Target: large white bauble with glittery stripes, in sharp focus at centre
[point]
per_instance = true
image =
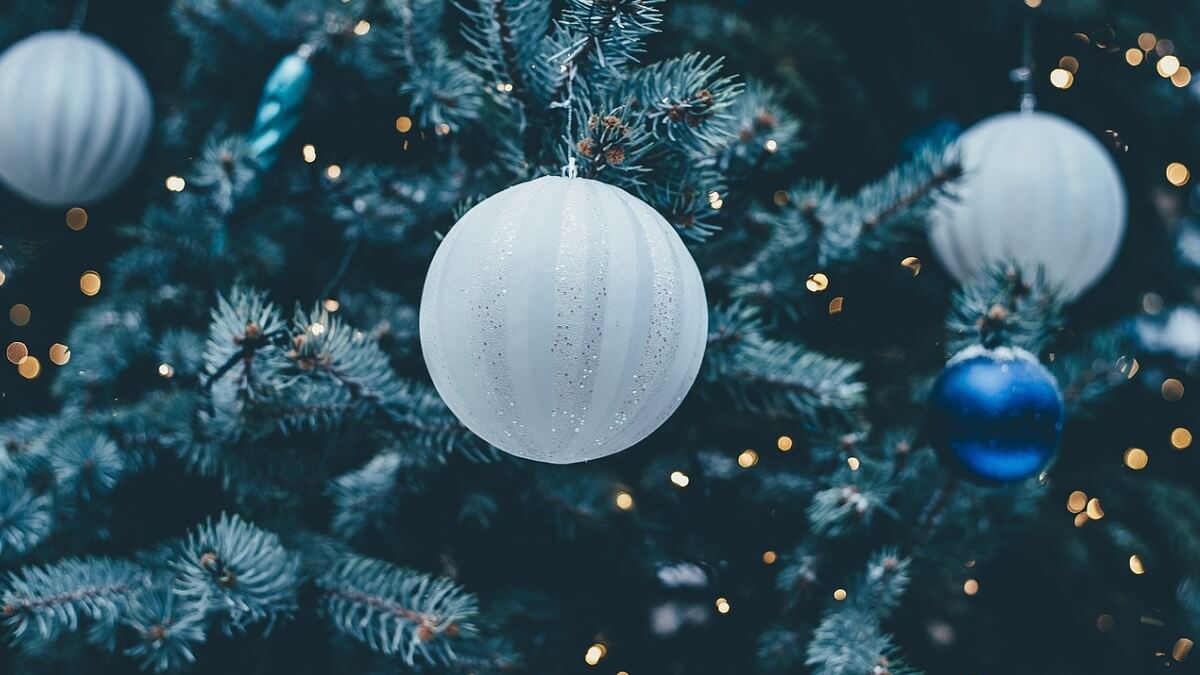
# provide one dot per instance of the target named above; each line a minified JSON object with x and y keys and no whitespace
{"x":563,"y":320}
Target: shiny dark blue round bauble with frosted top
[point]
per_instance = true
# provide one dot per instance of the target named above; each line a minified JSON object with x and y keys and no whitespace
{"x":995,"y":415}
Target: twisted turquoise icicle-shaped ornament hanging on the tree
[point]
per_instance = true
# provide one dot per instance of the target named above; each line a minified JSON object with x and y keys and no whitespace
{"x":279,"y":111}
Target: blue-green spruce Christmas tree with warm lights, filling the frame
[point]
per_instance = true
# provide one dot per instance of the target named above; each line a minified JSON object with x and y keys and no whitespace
{"x":221,"y":450}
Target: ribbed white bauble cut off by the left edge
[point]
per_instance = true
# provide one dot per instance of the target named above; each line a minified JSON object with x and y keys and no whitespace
{"x":75,"y":117}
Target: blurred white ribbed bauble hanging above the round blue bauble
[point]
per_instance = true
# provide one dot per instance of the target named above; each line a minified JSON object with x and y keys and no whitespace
{"x":1037,"y":190}
